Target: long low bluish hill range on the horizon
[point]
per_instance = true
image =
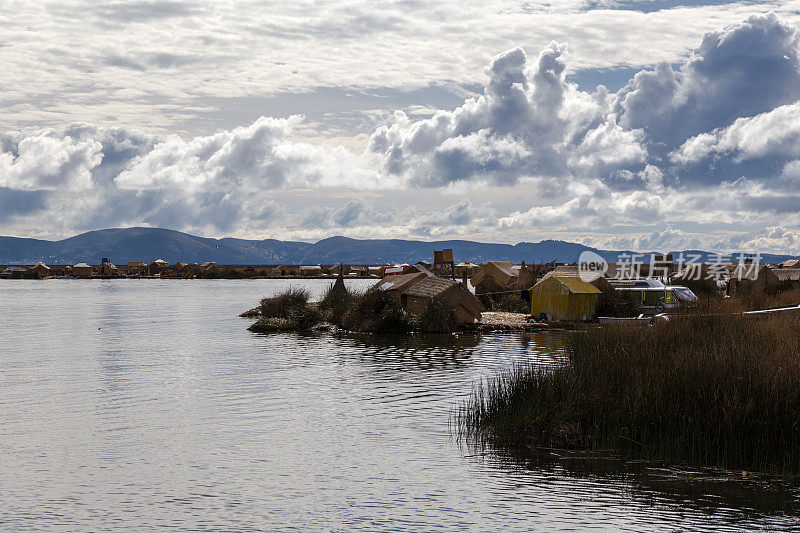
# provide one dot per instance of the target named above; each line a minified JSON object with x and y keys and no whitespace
{"x":147,"y":244}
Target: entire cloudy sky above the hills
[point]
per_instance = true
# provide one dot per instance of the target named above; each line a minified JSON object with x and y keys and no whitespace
{"x":630,"y":124}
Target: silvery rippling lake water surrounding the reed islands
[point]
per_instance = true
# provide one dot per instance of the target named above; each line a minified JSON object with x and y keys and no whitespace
{"x":145,"y":404}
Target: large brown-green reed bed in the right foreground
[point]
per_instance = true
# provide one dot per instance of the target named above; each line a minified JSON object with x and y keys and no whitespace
{"x":718,"y":390}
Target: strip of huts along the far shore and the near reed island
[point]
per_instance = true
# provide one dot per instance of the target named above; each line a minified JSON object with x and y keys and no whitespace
{"x":495,"y":294}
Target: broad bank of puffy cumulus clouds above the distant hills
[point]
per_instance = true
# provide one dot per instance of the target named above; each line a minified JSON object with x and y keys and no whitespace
{"x":705,"y":143}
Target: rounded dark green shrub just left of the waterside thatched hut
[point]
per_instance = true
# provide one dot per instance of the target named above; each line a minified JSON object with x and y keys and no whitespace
{"x":377,"y":312}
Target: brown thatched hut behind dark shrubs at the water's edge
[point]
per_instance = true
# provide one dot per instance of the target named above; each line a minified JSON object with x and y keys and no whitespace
{"x":465,"y":305}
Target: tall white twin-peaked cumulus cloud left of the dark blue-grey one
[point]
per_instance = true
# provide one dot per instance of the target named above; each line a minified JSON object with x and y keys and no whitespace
{"x":528,"y":123}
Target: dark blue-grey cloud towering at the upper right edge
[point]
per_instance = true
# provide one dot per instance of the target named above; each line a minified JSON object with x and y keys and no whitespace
{"x":746,"y":69}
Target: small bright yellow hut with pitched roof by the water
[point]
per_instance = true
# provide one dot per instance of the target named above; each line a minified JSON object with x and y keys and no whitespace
{"x":564,"y":298}
